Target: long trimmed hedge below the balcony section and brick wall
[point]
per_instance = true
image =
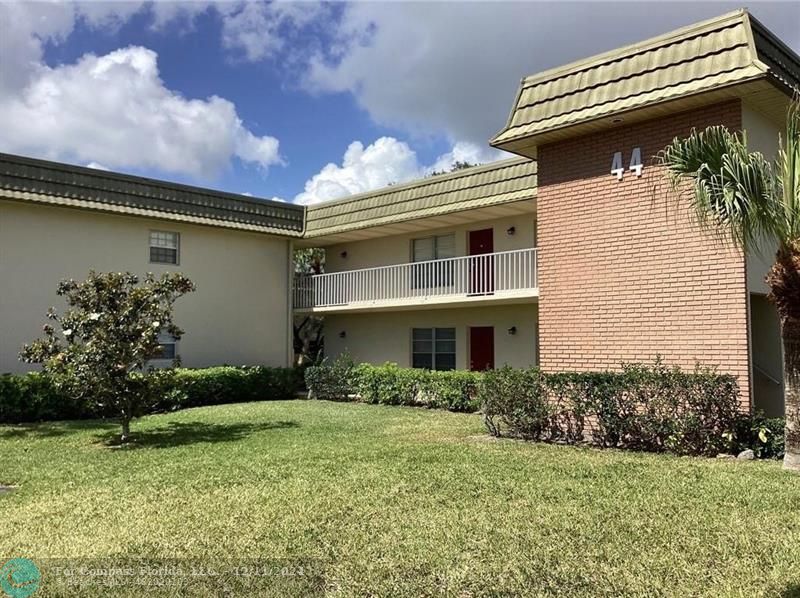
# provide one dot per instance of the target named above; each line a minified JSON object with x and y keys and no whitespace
{"x":652,"y":408}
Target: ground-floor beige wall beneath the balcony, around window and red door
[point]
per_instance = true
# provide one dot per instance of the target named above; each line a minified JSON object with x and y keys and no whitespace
{"x":381,"y":337}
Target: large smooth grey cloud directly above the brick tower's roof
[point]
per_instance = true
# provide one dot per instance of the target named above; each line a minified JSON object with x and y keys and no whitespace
{"x":444,"y":69}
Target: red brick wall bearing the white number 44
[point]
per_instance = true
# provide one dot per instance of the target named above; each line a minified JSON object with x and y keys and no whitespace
{"x":625,"y":274}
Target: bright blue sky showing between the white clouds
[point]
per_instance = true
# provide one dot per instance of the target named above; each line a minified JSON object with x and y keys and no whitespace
{"x":312,"y":130}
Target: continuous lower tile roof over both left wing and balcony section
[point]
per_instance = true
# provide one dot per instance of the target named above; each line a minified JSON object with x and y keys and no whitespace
{"x":44,"y":182}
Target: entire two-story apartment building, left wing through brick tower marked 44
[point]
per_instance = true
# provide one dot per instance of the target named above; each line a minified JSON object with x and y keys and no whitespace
{"x":574,"y":255}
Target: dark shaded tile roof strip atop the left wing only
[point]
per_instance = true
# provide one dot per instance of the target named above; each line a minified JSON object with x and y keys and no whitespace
{"x":40,"y":181}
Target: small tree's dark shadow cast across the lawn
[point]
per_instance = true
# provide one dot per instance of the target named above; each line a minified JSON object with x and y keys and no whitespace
{"x":183,"y":433}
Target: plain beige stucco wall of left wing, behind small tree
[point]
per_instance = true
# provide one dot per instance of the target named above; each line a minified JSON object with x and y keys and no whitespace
{"x":239,"y":314}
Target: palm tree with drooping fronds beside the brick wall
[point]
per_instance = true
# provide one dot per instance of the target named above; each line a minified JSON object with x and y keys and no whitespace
{"x":749,"y":199}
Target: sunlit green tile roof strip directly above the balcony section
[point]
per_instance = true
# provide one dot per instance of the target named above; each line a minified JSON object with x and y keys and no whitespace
{"x":481,"y":186}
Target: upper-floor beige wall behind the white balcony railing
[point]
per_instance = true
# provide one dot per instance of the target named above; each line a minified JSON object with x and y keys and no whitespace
{"x":396,"y":249}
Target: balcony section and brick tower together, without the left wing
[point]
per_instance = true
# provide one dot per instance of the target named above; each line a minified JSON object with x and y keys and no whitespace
{"x":585,"y":260}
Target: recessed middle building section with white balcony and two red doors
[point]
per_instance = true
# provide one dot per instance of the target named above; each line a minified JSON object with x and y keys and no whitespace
{"x":440,"y":273}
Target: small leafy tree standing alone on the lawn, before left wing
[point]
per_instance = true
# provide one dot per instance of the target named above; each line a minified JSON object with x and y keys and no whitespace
{"x":106,"y":339}
